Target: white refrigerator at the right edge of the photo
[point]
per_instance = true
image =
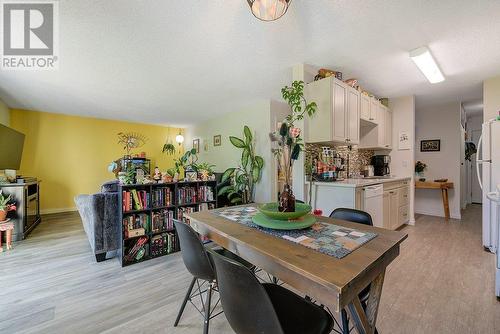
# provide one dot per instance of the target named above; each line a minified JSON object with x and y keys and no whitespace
{"x":489,"y":164}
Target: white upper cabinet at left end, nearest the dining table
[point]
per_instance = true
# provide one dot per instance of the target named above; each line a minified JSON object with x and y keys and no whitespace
{"x":338,"y":114}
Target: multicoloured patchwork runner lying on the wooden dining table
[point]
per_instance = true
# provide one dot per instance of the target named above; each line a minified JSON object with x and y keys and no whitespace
{"x":329,"y":239}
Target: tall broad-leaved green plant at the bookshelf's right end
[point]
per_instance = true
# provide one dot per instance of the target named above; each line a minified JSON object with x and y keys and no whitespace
{"x":247,"y":174}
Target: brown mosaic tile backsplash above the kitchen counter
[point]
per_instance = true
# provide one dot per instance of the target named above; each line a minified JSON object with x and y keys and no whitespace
{"x":357,"y":157}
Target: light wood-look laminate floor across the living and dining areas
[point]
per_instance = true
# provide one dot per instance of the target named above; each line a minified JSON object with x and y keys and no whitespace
{"x":443,"y":282}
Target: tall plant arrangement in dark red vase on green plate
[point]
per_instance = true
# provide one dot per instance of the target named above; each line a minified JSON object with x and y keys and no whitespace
{"x":288,"y":142}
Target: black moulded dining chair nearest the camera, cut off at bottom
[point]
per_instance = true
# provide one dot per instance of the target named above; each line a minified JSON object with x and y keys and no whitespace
{"x":252,"y":307}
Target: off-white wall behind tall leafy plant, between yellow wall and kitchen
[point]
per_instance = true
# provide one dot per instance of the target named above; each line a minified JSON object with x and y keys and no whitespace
{"x":258,"y":118}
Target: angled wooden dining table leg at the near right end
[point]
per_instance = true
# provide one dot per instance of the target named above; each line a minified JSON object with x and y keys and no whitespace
{"x":365,"y":320}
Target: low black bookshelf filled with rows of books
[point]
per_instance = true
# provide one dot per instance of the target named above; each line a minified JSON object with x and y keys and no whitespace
{"x":147,"y":213}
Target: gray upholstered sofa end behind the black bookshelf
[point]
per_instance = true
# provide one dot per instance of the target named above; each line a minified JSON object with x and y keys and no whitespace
{"x":100,"y":218}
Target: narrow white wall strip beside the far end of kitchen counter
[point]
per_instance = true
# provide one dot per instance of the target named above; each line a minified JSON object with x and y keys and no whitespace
{"x":403,"y":161}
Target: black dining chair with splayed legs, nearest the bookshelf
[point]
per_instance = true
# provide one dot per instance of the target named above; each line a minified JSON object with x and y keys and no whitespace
{"x":198,"y":263}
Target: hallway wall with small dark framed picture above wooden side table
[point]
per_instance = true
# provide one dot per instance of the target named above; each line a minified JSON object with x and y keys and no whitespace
{"x":440,"y":122}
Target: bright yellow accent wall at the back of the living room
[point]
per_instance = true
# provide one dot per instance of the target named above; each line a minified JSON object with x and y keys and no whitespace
{"x":70,"y":154}
